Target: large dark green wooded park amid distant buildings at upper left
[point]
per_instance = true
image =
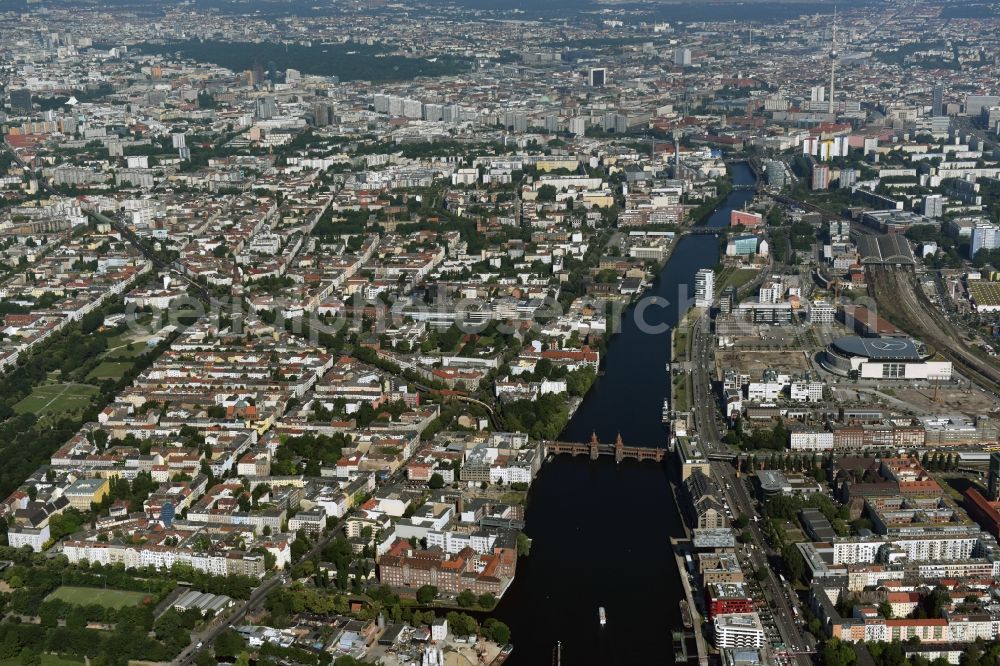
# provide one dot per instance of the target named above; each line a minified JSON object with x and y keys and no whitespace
{"x":349,"y":62}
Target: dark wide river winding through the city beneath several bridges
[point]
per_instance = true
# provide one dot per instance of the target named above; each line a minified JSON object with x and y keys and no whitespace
{"x":600,"y":530}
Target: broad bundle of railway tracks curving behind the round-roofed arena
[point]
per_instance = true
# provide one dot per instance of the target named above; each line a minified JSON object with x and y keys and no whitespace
{"x":900,"y":298}
